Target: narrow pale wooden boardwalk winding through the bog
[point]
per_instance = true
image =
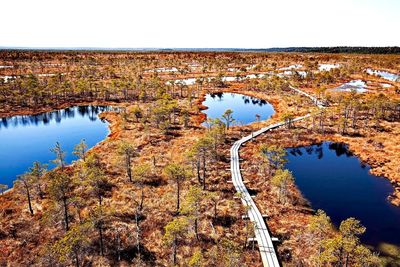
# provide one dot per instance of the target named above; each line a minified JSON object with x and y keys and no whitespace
{"x":263,"y":236}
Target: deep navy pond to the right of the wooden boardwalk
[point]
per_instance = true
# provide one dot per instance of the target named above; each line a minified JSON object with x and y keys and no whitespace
{"x":334,"y":180}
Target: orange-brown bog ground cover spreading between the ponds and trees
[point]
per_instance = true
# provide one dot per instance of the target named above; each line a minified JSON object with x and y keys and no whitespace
{"x":126,"y":82}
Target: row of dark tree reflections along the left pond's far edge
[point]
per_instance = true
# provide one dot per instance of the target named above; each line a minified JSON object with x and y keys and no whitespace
{"x":57,"y":116}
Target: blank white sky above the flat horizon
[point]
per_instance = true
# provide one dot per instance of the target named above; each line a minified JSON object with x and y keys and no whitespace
{"x":199,"y":24}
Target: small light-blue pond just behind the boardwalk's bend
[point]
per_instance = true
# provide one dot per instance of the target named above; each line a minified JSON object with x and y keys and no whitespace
{"x":244,"y":107}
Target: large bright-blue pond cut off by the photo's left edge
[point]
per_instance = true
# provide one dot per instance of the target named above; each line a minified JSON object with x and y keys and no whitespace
{"x":25,"y":139}
